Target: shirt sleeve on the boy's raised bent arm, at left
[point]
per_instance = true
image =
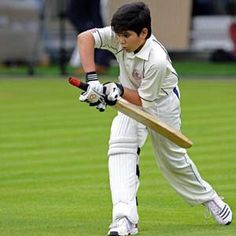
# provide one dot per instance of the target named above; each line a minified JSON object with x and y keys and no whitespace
{"x":105,"y":38}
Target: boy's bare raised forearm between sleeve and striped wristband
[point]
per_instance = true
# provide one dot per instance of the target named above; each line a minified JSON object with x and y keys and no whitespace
{"x":86,"y":43}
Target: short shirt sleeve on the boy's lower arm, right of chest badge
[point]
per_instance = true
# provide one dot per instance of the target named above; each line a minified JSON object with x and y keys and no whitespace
{"x":151,"y":84}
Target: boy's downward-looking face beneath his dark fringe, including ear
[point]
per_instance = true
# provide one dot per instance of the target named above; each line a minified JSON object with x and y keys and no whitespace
{"x":130,"y":41}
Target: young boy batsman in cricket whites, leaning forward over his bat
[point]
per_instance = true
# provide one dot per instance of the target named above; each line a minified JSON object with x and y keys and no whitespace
{"x":147,"y":79}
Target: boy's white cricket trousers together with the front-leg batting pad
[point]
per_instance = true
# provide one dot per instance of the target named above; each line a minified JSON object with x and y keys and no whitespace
{"x":127,"y":135}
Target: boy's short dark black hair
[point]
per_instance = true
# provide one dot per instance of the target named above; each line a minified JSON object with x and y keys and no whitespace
{"x":132,"y":16}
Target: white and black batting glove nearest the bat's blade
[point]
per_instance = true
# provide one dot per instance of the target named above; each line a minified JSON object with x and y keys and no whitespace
{"x":112,"y":92}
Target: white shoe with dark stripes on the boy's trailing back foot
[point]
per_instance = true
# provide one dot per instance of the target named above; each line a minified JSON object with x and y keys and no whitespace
{"x":220,"y":211}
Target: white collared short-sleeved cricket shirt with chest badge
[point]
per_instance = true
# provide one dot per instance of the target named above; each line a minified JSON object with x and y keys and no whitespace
{"x":149,"y":71}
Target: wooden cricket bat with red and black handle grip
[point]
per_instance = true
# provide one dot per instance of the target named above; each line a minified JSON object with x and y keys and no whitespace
{"x":143,"y":117}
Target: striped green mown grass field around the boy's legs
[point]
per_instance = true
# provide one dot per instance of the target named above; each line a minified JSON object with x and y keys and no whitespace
{"x":53,"y":171}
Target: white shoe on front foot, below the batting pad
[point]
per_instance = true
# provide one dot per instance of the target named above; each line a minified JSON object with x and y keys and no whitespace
{"x":122,"y":227}
